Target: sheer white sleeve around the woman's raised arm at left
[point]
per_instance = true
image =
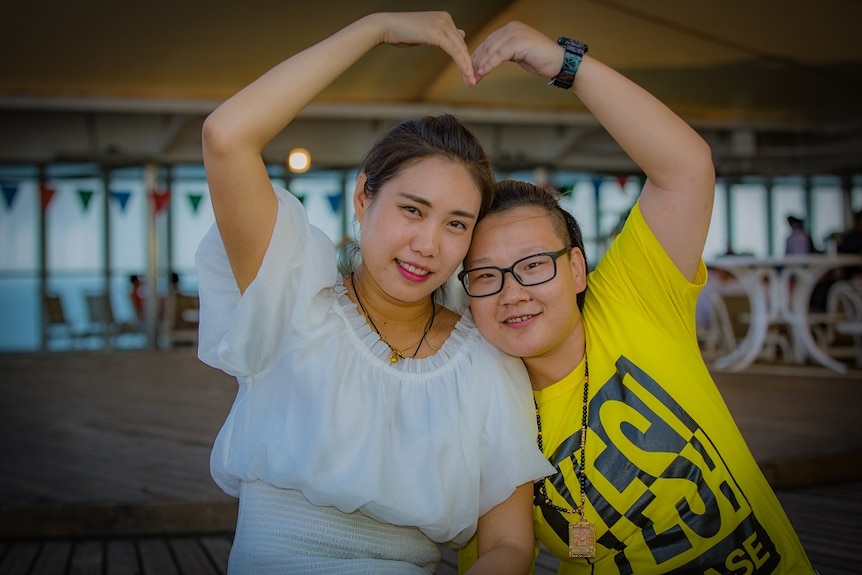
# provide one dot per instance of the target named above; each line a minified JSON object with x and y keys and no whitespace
{"x":241,"y":333}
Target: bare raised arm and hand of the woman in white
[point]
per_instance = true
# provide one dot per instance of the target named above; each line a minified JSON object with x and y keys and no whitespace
{"x":235,"y":134}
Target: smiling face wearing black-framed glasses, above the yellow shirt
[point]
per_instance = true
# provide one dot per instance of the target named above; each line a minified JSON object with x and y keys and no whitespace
{"x":540,"y":322}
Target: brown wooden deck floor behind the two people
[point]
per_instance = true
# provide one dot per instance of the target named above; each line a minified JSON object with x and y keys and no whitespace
{"x":106,"y":461}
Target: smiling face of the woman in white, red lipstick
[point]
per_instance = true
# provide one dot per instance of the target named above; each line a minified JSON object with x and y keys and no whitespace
{"x":417,"y":227}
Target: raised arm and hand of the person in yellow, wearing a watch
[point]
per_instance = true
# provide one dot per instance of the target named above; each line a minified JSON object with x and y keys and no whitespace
{"x":677,"y":197}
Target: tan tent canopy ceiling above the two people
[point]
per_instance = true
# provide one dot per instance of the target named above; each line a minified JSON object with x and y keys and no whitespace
{"x":774,"y":85}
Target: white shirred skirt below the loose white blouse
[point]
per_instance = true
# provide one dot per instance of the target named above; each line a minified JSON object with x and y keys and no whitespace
{"x":278,"y":531}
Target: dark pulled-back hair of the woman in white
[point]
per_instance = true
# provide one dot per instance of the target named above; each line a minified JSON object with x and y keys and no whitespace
{"x":418,"y":139}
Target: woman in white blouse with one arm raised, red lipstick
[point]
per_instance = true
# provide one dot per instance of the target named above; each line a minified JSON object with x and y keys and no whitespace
{"x":370,"y":422}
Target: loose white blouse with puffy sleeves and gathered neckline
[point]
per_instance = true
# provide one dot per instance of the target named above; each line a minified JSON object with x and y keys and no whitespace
{"x":432,"y":443}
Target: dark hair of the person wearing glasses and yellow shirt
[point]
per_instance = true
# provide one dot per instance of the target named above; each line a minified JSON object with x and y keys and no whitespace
{"x":513,"y":194}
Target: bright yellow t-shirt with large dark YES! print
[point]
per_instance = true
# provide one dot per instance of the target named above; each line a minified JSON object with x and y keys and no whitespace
{"x":671,"y":485}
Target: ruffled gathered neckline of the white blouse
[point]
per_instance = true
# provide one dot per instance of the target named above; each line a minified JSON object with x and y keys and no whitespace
{"x":368,"y":341}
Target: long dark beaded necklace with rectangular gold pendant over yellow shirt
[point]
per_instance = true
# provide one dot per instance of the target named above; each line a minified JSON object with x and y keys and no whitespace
{"x":582,"y":535}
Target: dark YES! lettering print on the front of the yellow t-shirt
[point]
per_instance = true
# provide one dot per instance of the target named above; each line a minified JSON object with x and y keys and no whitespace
{"x":661,"y":494}
